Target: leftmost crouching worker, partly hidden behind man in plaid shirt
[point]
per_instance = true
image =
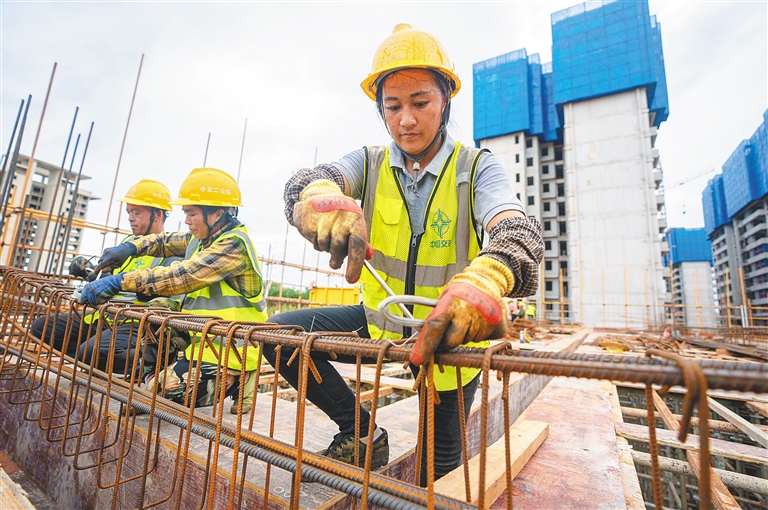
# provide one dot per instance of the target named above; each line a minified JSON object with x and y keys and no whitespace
{"x":147,"y":204}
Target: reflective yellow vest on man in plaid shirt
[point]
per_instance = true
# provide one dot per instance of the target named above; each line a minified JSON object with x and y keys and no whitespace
{"x":222,"y":300}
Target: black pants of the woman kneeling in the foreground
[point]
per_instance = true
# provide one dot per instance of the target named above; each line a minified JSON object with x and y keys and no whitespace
{"x":334,"y":397}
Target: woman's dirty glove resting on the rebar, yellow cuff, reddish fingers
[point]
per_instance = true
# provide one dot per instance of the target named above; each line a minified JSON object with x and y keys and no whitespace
{"x":469,"y":309}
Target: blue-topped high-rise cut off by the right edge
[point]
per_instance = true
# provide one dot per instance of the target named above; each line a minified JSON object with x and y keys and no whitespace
{"x":736,"y":221}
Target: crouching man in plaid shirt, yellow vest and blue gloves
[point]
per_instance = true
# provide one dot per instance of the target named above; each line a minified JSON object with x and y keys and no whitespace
{"x":220,"y":276}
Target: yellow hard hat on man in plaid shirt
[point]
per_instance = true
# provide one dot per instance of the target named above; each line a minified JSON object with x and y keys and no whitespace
{"x":209,"y":186}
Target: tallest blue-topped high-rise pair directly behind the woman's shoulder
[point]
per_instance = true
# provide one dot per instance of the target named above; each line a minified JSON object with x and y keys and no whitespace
{"x":577,"y":135}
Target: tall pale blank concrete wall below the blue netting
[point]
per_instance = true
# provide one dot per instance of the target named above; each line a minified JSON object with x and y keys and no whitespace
{"x":614,"y":250}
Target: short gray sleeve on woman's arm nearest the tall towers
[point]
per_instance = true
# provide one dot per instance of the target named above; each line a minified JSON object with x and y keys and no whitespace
{"x":493,"y":190}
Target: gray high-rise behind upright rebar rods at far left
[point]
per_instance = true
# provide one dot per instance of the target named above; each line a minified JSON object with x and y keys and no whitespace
{"x":43,"y":198}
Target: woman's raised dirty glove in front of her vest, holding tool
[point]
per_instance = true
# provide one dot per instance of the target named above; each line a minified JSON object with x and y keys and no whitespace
{"x":333,"y":223}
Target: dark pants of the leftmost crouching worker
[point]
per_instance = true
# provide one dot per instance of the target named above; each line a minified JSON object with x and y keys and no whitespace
{"x":101,"y":336}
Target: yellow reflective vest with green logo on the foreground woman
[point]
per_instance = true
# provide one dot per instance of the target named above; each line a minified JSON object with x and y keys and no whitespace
{"x":419,"y":265}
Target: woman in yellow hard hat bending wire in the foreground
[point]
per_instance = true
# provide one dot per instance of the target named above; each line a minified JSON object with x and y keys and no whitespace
{"x":427,"y":201}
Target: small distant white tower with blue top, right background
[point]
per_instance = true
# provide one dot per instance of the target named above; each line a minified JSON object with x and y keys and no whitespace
{"x":690,"y":268}
